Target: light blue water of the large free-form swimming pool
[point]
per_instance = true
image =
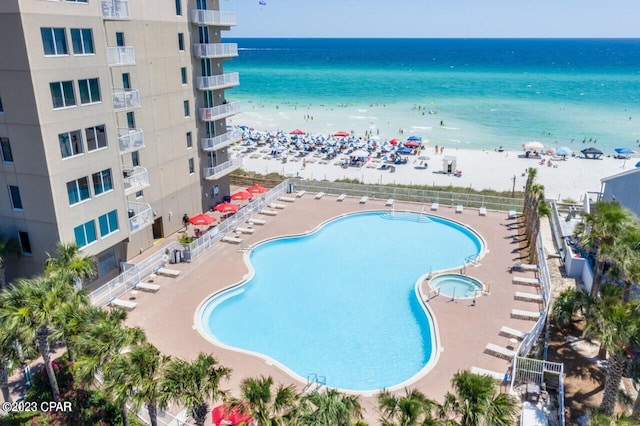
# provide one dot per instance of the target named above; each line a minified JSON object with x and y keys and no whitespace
{"x":340,"y":302}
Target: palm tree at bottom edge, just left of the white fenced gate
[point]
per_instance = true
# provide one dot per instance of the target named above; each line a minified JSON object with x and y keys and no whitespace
{"x":477,"y":401}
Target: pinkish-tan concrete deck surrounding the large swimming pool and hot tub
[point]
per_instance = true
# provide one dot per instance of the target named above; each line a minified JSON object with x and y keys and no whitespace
{"x":464,"y":330}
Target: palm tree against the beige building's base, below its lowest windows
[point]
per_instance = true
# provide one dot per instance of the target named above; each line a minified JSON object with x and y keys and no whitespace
{"x":70,"y":264}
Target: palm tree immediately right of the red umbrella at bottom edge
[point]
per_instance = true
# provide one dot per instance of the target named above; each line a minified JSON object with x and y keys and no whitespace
{"x":266,"y":405}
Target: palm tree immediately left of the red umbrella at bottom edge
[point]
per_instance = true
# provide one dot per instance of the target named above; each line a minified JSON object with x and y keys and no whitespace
{"x":194,"y":384}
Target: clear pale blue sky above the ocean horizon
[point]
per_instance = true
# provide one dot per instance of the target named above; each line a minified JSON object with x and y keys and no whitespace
{"x":429,"y":18}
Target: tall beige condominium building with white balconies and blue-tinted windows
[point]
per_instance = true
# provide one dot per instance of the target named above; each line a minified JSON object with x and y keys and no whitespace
{"x":112,"y":123}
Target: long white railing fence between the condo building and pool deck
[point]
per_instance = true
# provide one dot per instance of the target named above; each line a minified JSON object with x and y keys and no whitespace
{"x":132,"y":274}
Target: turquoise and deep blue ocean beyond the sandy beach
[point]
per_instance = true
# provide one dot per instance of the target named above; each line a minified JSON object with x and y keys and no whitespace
{"x":467,"y":93}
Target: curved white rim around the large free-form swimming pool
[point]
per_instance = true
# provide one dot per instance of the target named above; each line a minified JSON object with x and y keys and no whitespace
{"x":433,"y":324}
